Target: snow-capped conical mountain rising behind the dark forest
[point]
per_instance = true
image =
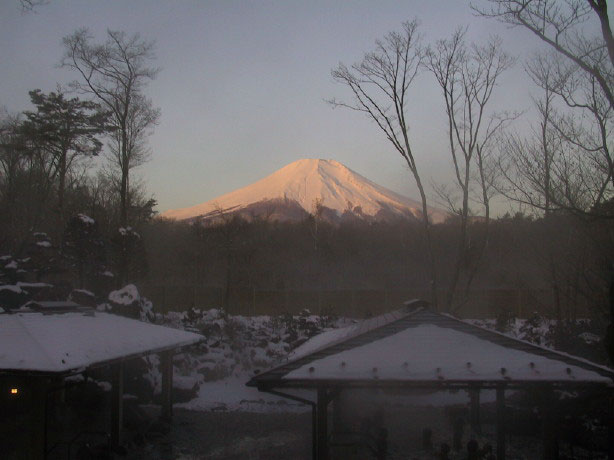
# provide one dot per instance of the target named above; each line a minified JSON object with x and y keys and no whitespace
{"x":298,"y":188}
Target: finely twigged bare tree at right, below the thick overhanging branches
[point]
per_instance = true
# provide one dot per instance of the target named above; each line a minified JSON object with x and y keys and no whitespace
{"x":566,"y":162}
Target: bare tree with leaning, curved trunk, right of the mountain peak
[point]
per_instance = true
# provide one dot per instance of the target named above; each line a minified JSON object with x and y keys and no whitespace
{"x":380,"y":84}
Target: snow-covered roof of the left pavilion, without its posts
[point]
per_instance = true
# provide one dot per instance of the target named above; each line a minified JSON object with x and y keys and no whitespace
{"x":69,"y":342}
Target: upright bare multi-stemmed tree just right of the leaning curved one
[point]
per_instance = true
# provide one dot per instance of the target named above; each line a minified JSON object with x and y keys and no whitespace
{"x":467,"y":76}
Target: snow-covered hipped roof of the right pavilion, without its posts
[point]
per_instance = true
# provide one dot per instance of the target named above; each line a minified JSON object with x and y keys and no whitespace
{"x":421,"y":347}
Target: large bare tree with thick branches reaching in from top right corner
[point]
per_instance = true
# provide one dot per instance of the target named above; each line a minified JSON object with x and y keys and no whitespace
{"x":583,"y":172}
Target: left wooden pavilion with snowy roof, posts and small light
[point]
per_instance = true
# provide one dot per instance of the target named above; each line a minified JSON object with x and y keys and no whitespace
{"x":39,"y":349}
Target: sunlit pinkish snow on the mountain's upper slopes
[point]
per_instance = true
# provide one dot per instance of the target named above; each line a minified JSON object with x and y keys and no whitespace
{"x":308,"y":180}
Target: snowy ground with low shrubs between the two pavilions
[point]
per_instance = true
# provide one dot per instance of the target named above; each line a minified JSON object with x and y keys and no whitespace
{"x":235,"y":348}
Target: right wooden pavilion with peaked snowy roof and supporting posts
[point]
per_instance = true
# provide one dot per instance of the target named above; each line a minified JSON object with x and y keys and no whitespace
{"x":415,"y":349}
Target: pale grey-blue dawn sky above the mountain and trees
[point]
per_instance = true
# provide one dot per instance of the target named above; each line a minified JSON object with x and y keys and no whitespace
{"x":243,"y":84}
